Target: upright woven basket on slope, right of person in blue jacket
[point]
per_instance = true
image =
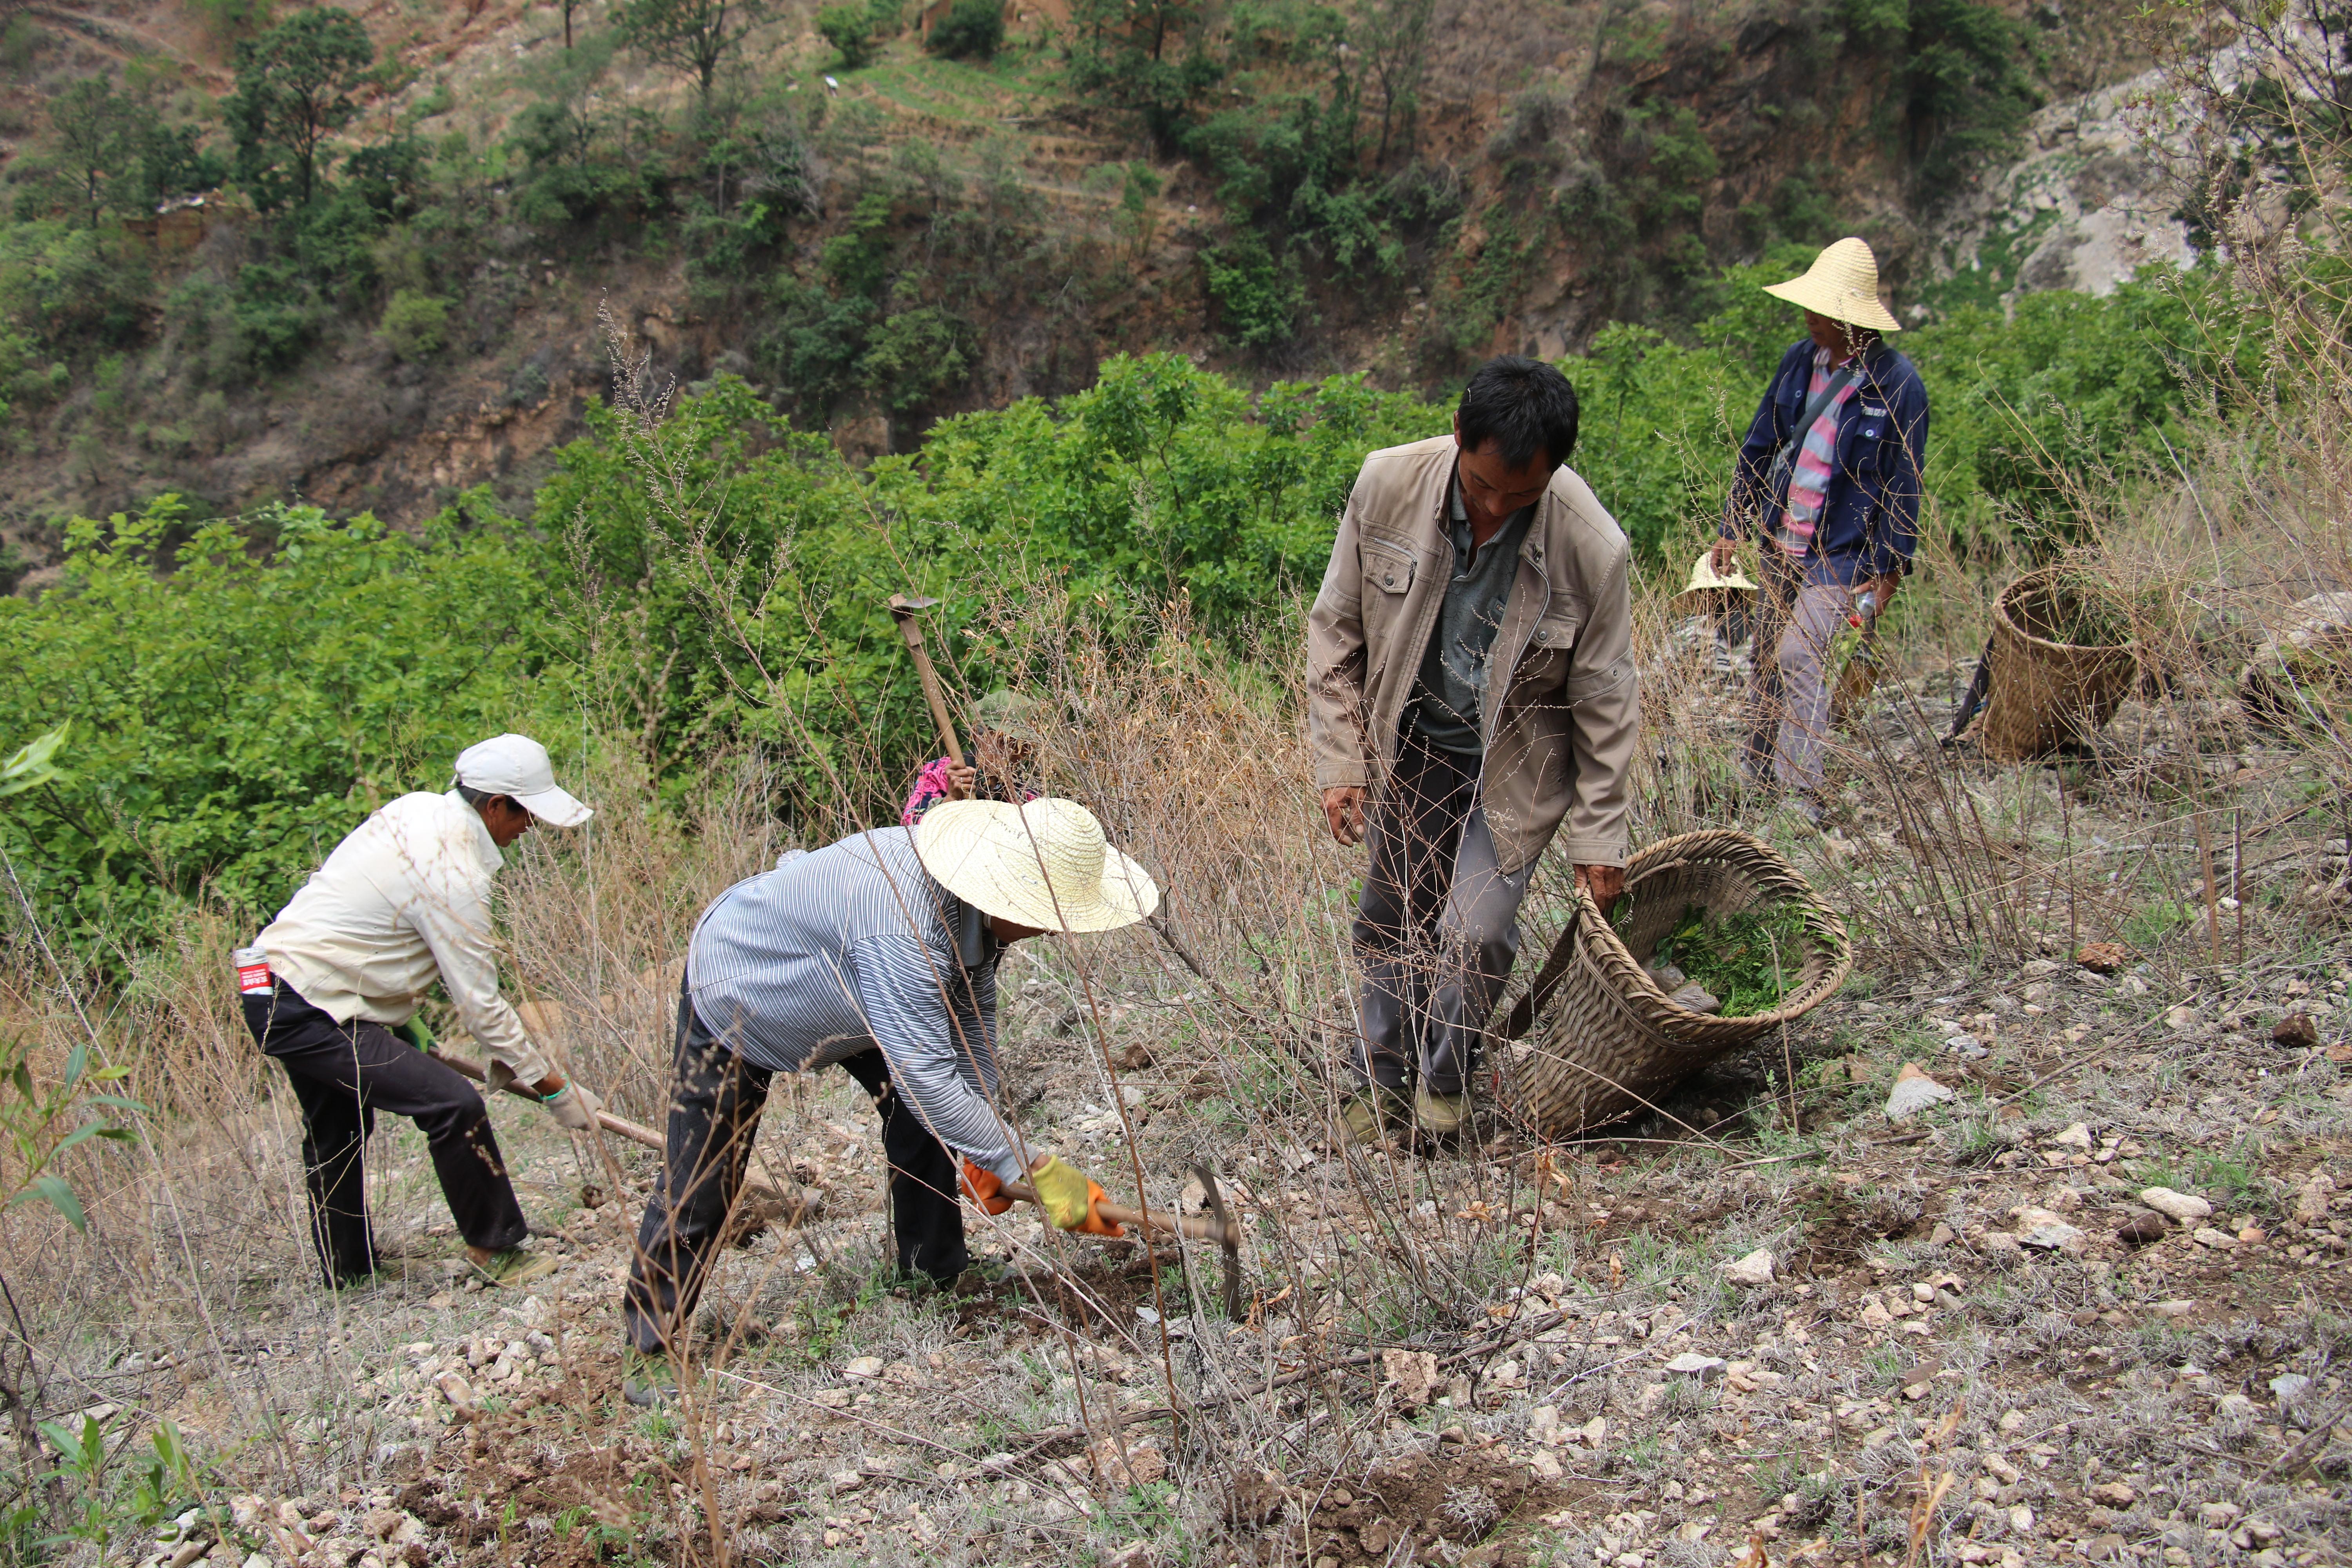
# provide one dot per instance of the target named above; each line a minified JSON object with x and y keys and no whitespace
{"x":2047,"y":695}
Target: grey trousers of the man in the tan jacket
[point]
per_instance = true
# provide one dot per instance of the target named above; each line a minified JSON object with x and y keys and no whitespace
{"x":1438,"y":925}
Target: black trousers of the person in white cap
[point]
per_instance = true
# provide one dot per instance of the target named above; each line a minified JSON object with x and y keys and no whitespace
{"x":342,"y":1076}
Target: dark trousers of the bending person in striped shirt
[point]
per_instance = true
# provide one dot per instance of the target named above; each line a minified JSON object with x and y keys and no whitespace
{"x":716,"y":1101}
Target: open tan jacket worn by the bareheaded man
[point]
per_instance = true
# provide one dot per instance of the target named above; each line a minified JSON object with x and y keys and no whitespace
{"x":1561,"y":742}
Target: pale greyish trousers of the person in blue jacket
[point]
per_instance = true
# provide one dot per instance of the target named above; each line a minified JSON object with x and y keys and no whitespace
{"x":1789,"y":690}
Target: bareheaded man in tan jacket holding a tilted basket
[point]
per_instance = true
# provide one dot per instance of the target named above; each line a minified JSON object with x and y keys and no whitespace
{"x":1469,"y":688}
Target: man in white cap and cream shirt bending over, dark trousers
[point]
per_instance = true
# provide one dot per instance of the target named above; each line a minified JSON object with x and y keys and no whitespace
{"x":335,"y":981}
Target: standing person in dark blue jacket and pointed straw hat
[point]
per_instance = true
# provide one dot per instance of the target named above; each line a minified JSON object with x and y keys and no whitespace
{"x":1829,"y":481}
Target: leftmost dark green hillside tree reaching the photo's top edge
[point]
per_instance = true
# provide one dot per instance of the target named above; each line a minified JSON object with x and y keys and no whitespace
{"x":293,"y":93}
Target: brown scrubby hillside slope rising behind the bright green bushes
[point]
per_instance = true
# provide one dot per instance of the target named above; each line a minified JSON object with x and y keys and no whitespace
{"x":921,"y":236}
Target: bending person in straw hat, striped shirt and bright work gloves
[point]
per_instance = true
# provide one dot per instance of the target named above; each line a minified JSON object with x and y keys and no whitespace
{"x":878,"y":956}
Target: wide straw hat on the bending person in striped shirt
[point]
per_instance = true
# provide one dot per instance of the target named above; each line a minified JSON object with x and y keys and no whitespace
{"x":1043,"y":864}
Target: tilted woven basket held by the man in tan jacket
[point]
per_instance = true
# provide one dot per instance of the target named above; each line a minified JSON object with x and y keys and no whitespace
{"x":1605,"y":1040}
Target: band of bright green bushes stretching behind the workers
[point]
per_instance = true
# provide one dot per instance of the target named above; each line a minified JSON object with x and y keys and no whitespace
{"x":246,"y":690}
